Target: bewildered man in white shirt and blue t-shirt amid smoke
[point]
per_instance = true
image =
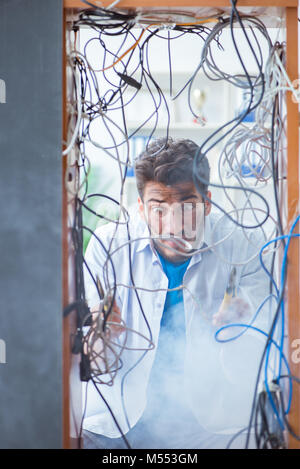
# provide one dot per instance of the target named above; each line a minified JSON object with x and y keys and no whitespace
{"x":178,"y":273}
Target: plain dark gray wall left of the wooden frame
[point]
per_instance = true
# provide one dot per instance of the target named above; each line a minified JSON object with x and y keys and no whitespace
{"x":30,"y":225}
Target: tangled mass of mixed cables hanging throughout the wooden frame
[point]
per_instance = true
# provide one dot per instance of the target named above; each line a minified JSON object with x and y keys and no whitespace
{"x":103,"y":95}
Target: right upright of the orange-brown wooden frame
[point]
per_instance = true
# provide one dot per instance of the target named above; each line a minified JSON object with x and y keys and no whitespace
{"x":293,"y":293}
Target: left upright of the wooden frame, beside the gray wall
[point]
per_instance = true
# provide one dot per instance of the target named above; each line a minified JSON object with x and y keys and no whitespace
{"x":72,"y":409}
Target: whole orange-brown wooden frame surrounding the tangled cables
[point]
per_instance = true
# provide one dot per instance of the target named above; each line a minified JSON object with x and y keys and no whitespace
{"x":70,"y":363}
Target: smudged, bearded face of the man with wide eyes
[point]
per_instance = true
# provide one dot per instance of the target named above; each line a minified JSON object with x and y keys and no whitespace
{"x":175,"y":216}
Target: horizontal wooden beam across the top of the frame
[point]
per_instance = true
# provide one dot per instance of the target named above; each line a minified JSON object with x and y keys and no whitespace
{"x":185,"y":3}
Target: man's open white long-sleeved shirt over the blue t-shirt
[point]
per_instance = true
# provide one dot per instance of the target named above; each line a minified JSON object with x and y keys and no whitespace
{"x":219,"y":378}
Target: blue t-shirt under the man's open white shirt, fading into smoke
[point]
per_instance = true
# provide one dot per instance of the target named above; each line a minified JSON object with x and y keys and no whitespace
{"x":167,"y":402}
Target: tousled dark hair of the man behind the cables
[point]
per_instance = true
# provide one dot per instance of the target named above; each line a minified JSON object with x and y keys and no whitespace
{"x":170,"y":162}
